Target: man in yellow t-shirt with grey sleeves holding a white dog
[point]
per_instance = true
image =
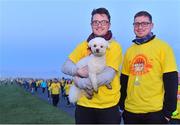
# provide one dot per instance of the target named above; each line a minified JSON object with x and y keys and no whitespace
{"x":103,"y":107}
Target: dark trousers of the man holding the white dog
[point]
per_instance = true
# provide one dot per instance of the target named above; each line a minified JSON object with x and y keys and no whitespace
{"x":85,"y":115}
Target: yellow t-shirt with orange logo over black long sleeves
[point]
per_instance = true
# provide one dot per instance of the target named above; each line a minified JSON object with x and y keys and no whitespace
{"x":145,"y":65}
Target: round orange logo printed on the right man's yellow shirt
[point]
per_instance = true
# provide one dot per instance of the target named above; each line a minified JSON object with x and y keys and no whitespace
{"x":140,"y":65}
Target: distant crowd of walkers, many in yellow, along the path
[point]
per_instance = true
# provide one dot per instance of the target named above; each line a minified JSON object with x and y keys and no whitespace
{"x":52,"y":88}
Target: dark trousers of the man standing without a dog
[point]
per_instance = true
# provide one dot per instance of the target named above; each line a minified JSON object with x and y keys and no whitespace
{"x":144,"y":118}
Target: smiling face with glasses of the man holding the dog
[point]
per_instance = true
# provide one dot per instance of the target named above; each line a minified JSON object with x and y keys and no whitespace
{"x":100,"y":24}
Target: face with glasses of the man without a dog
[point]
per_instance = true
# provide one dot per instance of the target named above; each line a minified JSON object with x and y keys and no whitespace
{"x":142,"y":26}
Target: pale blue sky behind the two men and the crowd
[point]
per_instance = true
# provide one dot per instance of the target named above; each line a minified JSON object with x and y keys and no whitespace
{"x":36,"y":36}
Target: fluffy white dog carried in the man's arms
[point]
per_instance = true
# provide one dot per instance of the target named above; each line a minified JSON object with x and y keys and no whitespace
{"x":96,"y":63}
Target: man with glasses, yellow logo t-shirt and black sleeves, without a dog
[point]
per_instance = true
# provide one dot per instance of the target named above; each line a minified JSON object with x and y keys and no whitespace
{"x":149,"y":77}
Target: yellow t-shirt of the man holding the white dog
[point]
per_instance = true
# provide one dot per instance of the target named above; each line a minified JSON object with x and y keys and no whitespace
{"x":105,"y":97}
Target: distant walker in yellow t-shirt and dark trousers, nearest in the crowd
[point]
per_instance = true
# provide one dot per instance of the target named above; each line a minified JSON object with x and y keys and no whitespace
{"x":55,"y":90}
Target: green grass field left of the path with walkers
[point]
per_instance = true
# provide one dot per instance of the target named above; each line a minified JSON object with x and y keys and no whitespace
{"x":19,"y":107}
